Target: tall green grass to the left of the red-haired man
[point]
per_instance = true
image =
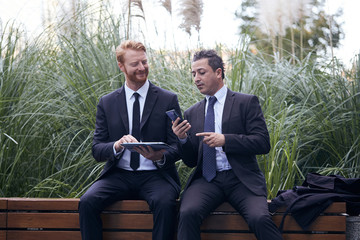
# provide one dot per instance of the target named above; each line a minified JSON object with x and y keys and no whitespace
{"x":50,"y":89}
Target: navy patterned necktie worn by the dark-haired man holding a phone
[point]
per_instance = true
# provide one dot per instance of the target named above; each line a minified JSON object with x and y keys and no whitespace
{"x":209,"y":153}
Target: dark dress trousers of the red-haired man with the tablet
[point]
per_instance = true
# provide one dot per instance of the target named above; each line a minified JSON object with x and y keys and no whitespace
{"x":119,"y":185}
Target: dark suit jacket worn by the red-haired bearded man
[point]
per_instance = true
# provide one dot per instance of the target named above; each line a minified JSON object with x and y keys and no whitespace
{"x":112,"y":123}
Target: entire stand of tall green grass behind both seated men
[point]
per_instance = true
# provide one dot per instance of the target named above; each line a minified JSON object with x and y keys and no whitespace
{"x":50,"y":87}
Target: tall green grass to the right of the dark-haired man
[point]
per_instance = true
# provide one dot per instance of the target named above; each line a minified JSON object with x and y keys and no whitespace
{"x":312,"y":116}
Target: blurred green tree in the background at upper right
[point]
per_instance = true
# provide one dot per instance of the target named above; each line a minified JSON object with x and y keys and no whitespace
{"x":313,"y":33}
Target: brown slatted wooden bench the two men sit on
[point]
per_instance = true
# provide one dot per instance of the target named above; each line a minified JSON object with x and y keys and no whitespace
{"x":58,"y":219}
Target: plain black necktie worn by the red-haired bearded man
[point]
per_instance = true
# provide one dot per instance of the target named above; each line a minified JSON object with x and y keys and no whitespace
{"x":135,"y":157}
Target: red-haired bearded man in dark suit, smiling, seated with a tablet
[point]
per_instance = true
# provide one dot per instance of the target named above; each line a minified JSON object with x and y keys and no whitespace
{"x":146,"y":174}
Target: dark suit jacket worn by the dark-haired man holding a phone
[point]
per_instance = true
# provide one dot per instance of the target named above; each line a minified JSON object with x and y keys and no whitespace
{"x":246,"y":135}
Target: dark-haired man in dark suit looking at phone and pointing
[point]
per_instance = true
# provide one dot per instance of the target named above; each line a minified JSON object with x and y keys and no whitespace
{"x":221,"y":136}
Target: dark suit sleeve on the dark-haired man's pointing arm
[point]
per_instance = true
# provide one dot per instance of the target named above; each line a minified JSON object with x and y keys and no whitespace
{"x":255,"y":140}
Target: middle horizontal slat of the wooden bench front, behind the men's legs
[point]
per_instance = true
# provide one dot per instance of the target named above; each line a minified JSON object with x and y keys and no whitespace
{"x":145,"y":221}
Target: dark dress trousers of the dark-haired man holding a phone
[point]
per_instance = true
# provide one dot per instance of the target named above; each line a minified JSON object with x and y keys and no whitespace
{"x":202,"y":197}
